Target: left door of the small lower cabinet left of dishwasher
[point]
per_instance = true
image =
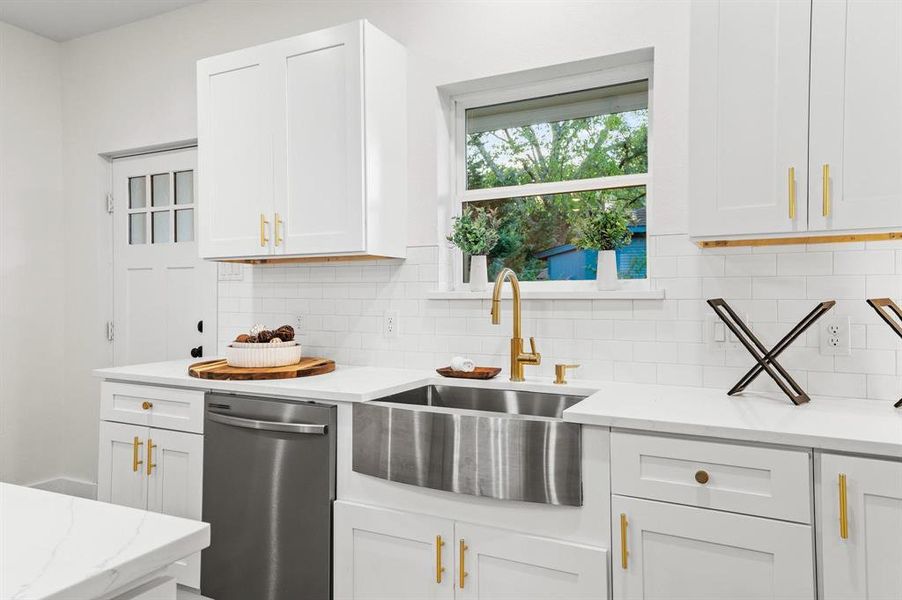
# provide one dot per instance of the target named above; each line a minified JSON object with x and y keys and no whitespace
{"x":121,"y":475}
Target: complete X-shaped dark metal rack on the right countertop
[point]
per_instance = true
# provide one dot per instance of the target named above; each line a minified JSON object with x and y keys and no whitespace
{"x":766,"y":360}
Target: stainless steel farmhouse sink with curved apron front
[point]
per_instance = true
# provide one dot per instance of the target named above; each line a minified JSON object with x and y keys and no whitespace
{"x":506,"y":444}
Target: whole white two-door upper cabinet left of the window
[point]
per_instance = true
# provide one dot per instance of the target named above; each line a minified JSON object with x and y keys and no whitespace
{"x":322,"y":171}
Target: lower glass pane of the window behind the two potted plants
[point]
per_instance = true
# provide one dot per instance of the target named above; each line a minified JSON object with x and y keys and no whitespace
{"x":536,"y":235}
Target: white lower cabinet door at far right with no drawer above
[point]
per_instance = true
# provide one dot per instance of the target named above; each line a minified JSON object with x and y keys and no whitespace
{"x":861,"y":528}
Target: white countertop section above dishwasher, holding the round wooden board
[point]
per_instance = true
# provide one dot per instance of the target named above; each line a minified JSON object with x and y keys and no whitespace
{"x":349,"y":384}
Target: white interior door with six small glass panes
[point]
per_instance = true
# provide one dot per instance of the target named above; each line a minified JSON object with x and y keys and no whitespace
{"x":163,"y":293}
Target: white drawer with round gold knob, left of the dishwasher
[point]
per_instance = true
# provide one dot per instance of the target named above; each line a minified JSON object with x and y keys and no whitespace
{"x":167,"y":408}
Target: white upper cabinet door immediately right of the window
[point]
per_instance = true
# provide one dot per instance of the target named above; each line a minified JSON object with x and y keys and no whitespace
{"x":749,"y":117}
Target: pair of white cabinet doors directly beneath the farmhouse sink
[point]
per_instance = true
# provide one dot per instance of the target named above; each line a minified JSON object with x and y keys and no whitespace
{"x":387,"y":554}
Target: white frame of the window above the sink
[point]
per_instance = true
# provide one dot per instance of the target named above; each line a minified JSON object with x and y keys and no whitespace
{"x":546,"y":86}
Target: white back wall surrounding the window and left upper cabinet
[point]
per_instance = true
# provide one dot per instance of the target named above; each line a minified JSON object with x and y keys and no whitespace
{"x":134,"y":86}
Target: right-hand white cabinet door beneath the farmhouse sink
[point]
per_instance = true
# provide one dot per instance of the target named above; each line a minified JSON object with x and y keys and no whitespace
{"x":494,"y":563}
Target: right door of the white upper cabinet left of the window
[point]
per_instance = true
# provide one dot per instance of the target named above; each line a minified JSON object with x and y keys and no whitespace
{"x":319,"y":142}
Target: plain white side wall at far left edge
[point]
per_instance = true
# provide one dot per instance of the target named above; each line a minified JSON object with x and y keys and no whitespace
{"x":31,"y":259}
